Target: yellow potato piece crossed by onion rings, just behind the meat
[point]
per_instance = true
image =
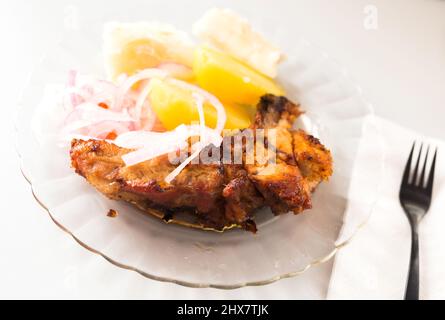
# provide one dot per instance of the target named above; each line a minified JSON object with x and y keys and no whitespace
{"x":175,"y":106}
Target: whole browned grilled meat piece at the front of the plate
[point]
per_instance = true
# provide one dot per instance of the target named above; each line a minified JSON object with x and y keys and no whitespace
{"x":218,"y":195}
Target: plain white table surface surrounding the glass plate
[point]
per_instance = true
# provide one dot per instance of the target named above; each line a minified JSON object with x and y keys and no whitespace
{"x":400,"y":66}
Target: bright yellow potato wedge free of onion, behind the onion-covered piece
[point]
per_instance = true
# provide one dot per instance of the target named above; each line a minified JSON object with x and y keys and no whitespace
{"x":229,"y":79}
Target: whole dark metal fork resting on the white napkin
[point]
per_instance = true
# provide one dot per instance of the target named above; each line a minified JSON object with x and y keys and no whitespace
{"x":415,"y":196}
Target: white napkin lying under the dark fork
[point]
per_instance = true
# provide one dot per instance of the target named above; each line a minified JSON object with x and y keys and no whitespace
{"x":374,"y":265}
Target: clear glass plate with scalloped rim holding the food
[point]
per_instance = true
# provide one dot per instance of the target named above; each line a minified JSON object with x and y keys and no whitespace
{"x":285,"y":246}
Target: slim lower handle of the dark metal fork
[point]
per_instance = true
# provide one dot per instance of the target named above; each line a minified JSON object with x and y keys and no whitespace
{"x":412,"y":288}
